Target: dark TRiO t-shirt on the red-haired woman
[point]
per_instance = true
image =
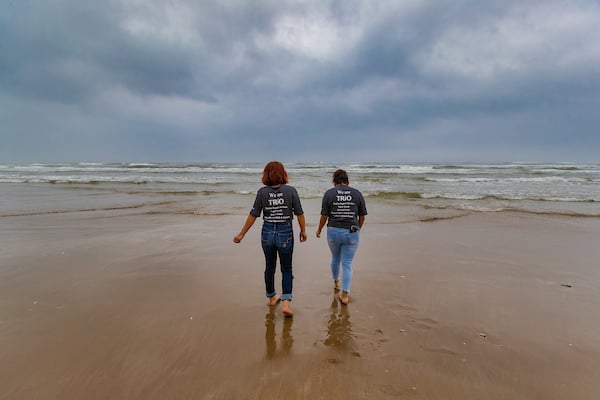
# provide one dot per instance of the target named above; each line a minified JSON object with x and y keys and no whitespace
{"x":277,"y":205}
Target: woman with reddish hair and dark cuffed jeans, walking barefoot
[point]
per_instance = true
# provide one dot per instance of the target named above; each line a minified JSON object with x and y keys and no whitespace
{"x":278,"y":203}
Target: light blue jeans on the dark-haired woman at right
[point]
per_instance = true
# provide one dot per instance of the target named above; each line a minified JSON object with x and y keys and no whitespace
{"x":343,"y":245}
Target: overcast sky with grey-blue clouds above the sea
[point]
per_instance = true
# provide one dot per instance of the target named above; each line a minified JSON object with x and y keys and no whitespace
{"x":345,"y":80}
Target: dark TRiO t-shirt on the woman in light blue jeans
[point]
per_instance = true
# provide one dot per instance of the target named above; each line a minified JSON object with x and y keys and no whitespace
{"x":343,"y":205}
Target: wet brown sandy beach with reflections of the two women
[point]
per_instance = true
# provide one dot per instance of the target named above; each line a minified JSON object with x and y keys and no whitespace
{"x":483,"y":306}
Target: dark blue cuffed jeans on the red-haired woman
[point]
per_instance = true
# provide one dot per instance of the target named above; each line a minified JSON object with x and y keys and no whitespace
{"x":278,"y":240}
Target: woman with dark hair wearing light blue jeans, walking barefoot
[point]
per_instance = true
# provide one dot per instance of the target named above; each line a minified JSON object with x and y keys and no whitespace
{"x":343,"y":209}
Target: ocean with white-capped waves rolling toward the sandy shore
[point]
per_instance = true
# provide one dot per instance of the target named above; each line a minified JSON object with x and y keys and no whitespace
{"x":229,"y":188}
